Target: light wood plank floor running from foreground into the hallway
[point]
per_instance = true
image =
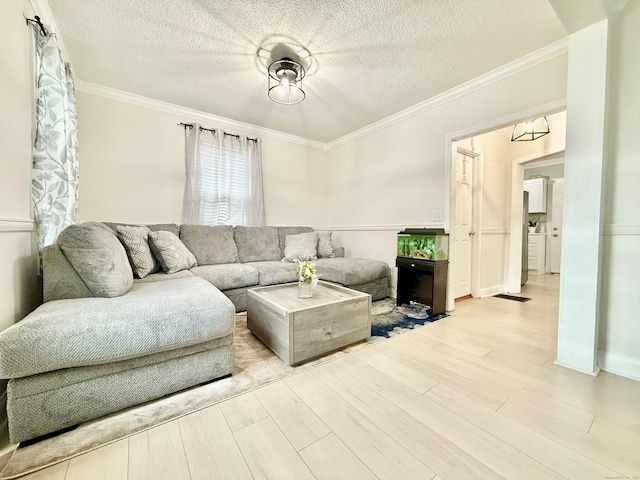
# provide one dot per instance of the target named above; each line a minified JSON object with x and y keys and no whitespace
{"x":473,"y":396}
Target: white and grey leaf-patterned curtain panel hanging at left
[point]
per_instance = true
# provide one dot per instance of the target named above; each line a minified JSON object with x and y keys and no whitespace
{"x":54,"y":177}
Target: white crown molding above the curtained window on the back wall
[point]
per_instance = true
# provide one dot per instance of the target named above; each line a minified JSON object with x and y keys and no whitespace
{"x":190,"y":114}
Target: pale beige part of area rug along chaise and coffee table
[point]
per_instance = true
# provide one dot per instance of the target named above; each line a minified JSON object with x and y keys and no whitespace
{"x":256,"y":365}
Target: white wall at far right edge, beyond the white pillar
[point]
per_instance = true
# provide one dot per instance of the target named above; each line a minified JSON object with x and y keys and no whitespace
{"x":619,"y":338}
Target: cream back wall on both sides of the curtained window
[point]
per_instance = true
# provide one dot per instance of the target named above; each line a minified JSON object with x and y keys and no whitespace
{"x":132,"y":167}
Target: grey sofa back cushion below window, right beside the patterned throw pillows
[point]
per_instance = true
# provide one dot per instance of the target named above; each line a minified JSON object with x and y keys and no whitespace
{"x":211,"y":245}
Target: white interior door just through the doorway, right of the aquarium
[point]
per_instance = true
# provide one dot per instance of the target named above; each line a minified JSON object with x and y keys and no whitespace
{"x":463,"y":225}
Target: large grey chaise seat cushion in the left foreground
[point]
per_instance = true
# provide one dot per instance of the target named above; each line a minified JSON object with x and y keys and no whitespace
{"x":152,"y":317}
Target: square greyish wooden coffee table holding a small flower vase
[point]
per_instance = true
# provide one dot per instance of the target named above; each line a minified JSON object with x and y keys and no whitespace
{"x":300,"y":329}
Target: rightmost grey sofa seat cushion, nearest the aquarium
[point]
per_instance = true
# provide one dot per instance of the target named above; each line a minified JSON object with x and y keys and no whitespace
{"x":351,"y":271}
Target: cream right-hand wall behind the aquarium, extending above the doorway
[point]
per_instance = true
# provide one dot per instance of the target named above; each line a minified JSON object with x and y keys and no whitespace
{"x":395,"y":177}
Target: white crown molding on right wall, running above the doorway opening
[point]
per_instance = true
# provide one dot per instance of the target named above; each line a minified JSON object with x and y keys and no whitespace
{"x":546,"y":53}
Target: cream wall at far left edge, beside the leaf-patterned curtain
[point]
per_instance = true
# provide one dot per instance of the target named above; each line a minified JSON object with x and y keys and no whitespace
{"x":19,"y":284}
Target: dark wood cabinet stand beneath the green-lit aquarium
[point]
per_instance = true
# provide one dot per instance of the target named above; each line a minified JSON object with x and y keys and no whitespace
{"x":423,"y":281}
